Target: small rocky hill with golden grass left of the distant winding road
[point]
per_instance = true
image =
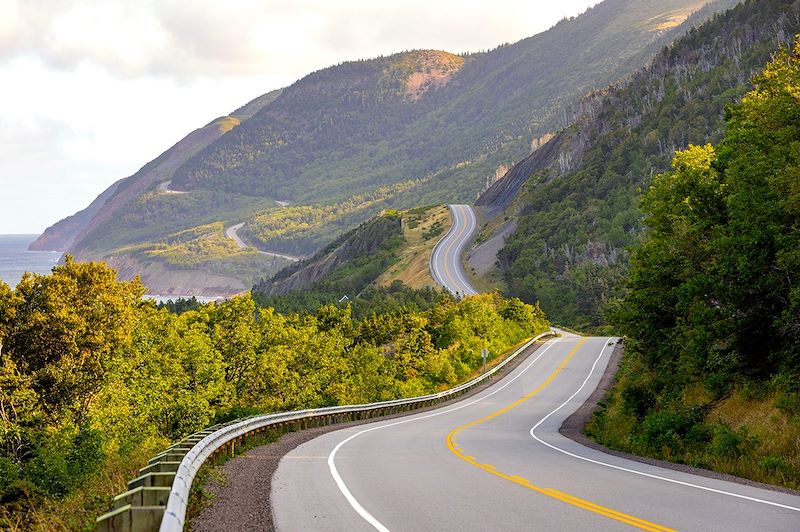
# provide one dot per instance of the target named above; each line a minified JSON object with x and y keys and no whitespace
{"x":378,"y":265}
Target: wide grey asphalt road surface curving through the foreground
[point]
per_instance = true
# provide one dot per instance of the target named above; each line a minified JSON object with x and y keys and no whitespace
{"x":496,"y":461}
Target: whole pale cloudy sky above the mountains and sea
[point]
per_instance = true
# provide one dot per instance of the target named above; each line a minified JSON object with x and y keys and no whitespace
{"x":93,"y":90}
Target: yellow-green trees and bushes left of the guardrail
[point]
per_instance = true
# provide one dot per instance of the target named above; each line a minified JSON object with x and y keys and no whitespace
{"x":93,"y":380}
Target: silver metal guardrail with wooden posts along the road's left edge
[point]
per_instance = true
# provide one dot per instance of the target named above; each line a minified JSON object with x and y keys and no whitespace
{"x":157,"y":499}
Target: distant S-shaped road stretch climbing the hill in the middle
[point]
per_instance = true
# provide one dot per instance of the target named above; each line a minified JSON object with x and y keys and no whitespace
{"x":445,"y":261}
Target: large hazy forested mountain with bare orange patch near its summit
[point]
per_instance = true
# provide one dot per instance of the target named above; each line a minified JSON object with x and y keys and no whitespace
{"x":418,"y":127}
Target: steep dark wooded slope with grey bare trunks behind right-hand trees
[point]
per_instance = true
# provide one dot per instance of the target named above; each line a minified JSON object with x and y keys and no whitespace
{"x":578,"y":212}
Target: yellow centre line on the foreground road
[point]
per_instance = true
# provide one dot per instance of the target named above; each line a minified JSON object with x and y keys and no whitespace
{"x":555,"y":494}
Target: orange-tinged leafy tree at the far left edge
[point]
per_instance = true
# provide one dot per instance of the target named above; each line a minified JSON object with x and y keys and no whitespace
{"x":64,"y":330}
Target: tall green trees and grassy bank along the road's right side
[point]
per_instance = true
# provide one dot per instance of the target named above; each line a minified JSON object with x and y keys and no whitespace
{"x":711,"y":375}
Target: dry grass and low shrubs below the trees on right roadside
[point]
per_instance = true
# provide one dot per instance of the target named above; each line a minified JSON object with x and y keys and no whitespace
{"x":744,"y":434}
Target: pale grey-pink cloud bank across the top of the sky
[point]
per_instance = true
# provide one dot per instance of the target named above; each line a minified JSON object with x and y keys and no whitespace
{"x":244,"y":37}
